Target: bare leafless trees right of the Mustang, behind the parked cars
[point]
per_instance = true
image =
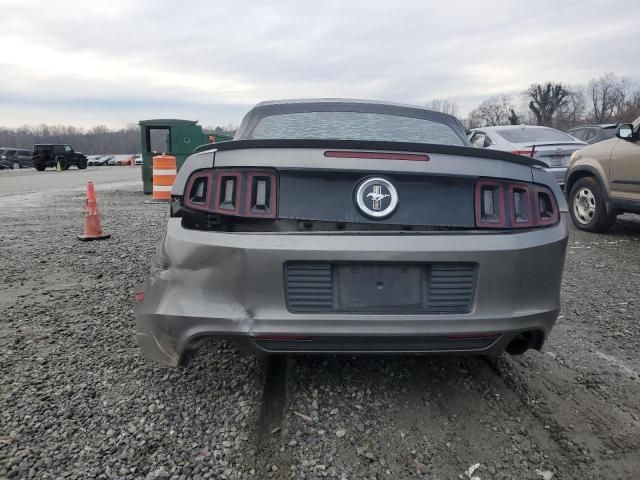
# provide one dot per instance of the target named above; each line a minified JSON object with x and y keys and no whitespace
{"x":608,"y":99}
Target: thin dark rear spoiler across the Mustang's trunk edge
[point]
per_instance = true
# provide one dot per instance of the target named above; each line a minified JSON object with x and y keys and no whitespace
{"x":374,"y":145}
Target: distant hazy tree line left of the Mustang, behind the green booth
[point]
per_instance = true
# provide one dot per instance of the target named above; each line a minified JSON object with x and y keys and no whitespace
{"x":95,"y":140}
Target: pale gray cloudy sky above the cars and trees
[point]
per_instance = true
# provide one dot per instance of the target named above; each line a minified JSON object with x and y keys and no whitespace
{"x":118,"y":61}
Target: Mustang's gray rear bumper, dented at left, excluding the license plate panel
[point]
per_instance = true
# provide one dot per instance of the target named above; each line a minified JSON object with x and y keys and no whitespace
{"x":231,"y":285}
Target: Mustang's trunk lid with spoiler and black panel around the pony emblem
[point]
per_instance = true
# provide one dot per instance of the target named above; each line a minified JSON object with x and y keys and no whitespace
{"x":318,"y":181}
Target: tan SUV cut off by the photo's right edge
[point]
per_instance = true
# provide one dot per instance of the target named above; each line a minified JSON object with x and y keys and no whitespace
{"x":603,"y":180}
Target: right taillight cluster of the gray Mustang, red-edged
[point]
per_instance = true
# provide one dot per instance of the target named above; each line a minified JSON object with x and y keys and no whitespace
{"x":505,"y":204}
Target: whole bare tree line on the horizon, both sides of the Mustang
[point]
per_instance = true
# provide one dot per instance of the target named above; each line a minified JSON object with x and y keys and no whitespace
{"x":608,"y":99}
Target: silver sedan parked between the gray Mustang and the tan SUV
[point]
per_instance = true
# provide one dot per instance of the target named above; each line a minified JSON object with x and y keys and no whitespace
{"x":548,"y":145}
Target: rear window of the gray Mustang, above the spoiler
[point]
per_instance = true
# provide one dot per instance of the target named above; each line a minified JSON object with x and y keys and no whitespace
{"x":354,"y":126}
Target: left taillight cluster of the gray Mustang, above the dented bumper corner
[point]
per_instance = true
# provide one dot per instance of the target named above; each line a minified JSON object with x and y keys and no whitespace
{"x":239,"y":192}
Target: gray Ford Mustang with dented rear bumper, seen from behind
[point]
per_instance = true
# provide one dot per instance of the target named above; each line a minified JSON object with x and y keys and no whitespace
{"x":345,"y":226}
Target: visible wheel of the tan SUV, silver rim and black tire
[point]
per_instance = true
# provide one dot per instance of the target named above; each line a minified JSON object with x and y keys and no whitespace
{"x":588,"y":208}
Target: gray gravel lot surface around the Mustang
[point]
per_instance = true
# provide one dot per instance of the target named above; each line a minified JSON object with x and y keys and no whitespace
{"x":77,"y":400}
